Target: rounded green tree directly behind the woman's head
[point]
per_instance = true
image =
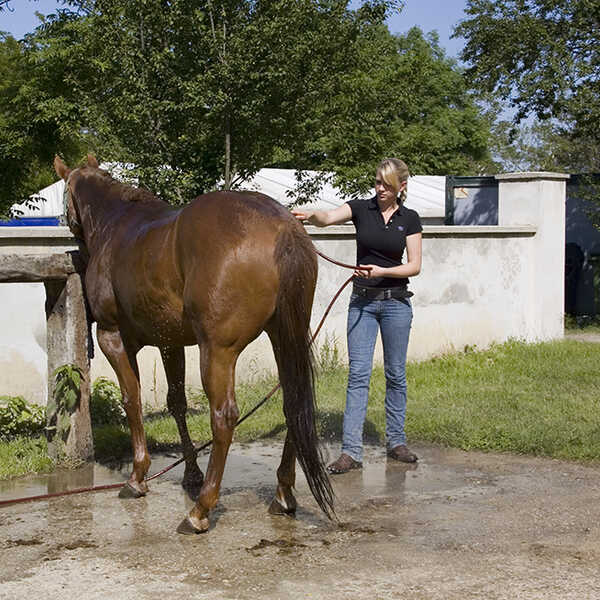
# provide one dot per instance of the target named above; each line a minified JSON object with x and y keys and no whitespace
{"x":401,"y":97}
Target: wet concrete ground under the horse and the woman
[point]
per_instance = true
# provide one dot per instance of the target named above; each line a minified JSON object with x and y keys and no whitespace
{"x":457,"y":526}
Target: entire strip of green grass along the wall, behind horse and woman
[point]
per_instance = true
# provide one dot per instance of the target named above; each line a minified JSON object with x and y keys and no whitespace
{"x":539,"y":399}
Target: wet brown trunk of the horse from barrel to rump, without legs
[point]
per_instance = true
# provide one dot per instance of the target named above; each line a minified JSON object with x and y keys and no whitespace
{"x":208,"y":269}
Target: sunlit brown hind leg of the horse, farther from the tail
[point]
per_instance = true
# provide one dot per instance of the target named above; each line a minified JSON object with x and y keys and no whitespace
{"x":218,"y":368}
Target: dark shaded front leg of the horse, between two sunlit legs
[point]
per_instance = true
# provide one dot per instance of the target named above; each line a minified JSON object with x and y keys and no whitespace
{"x":174,"y":362}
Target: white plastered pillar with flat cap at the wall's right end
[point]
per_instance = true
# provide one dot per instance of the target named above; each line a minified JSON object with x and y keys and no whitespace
{"x":538,"y":199}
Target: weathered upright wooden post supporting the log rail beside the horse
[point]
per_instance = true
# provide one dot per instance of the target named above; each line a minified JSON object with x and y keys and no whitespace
{"x":67,"y":339}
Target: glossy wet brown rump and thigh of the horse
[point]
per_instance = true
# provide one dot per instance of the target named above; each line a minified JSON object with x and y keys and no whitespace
{"x":228,"y":247}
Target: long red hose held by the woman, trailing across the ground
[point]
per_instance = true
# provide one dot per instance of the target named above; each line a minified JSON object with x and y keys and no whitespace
{"x":197,"y":449}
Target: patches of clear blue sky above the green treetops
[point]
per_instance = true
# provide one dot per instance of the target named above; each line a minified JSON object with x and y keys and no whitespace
{"x":429,"y":15}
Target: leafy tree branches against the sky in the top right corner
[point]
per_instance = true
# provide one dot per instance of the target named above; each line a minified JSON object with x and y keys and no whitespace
{"x":543,"y":57}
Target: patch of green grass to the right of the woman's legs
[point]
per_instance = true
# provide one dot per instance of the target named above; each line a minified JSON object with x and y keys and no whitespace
{"x":539,"y":399}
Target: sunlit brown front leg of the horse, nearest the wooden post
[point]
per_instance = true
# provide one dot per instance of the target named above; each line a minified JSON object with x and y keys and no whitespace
{"x":123,"y":361}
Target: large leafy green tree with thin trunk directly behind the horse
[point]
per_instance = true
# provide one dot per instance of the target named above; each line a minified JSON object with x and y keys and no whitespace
{"x":198,"y":91}
